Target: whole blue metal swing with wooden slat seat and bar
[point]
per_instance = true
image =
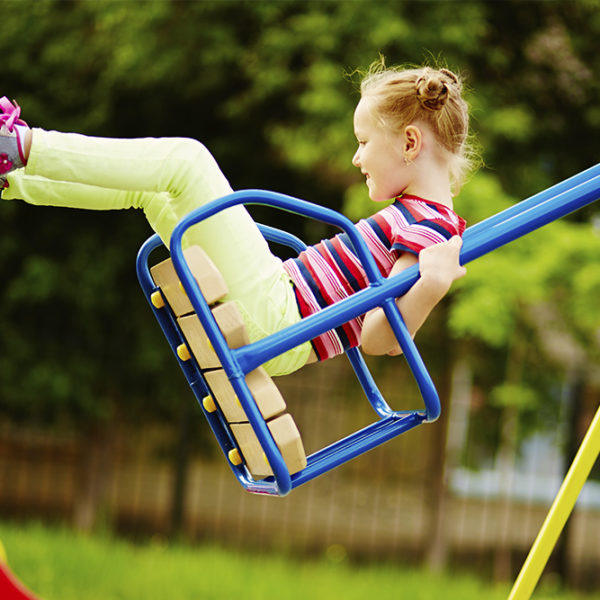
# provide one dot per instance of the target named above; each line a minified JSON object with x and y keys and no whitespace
{"x":241,"y":403}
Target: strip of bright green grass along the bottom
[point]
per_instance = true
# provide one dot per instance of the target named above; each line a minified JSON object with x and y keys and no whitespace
{"x":59,"y":564}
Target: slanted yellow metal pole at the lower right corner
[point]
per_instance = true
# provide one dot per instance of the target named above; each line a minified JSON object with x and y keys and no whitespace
{"x":559,"y":513}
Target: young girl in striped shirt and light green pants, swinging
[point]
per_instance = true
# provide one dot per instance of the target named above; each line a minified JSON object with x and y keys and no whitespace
{"x":411,"y":126}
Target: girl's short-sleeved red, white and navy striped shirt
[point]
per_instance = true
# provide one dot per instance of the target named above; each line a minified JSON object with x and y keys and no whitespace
{"x":330,"y":271}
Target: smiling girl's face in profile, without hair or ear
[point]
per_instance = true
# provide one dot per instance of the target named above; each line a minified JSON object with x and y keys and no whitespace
{"x":379,"y":156}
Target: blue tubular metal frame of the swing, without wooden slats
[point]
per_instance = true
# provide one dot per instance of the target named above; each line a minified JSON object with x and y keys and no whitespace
{"x":492,"y":233}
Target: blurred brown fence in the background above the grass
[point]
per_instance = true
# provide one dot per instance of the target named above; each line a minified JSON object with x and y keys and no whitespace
{"x":378,"y":507}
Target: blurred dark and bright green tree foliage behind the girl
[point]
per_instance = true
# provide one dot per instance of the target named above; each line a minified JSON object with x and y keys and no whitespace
{"x":270,"y":87}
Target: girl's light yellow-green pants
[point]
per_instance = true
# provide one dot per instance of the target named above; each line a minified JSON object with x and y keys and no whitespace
{"x":167,"y":178}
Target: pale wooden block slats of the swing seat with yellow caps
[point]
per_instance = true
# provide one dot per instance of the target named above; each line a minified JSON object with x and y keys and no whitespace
{"x":221,"y":395}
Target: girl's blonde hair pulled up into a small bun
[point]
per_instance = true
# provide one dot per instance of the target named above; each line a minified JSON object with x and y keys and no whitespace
{"x":433,"y":96}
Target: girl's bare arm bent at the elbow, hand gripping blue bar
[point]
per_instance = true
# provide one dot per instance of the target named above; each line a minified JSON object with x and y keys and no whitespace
{"x":438,"y":268}
